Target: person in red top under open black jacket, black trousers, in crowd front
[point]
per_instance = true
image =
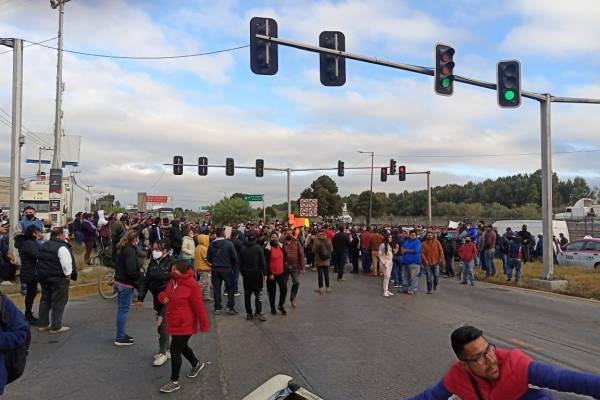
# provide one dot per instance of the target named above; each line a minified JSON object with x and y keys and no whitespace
{"x":277,"y":273}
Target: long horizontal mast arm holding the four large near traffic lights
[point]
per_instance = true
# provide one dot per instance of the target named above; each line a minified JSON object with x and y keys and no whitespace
{"x":418,"y":69}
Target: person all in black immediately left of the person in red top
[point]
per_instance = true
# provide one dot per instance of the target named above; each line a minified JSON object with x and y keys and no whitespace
{"x":254,"y":270}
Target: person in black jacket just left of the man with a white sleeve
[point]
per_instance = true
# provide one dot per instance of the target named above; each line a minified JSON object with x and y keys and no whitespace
{"x":28,"y":252}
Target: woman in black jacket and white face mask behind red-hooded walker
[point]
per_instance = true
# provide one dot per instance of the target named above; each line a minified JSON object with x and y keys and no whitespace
{"x":155,"y":281}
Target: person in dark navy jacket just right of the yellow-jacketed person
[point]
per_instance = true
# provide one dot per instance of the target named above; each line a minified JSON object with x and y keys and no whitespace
{"x":223,"y":258}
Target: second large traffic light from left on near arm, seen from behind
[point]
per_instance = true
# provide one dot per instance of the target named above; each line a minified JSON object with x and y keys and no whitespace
{"x":333,"y":68}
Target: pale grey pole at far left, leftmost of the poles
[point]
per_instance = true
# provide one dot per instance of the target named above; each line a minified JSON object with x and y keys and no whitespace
{"x":15,"y":156}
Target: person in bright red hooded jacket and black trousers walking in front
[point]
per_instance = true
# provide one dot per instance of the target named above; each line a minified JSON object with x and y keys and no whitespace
{"x":185,"y":316}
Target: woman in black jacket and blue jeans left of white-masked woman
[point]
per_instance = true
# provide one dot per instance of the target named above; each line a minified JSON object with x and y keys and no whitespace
{"x":127,"y":277}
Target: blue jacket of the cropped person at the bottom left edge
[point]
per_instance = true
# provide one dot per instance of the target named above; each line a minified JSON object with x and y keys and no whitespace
{"x":12,"y":336}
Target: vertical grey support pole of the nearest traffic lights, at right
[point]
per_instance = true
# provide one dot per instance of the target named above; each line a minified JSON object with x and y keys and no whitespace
{"x":546,"y":143}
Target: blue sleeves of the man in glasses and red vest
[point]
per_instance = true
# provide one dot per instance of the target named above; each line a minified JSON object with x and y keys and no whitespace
{"x":540,"y":375}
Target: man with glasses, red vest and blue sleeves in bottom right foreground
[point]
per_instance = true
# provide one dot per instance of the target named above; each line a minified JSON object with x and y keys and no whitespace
{"x":485,"y":372}
